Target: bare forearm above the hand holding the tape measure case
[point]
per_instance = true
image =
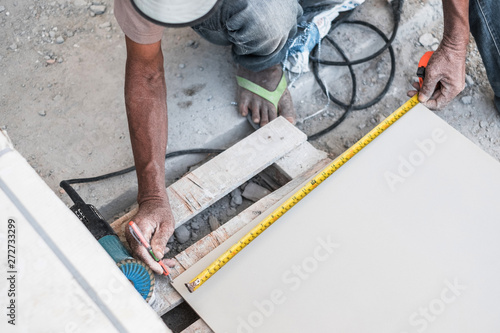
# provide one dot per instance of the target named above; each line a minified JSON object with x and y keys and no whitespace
{"x":456,"y":24}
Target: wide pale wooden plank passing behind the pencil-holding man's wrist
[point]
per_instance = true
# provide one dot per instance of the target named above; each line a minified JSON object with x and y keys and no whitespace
{"x":202,"y":187}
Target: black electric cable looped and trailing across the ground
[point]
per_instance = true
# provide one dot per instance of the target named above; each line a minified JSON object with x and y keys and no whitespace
{"x":342,"y":19}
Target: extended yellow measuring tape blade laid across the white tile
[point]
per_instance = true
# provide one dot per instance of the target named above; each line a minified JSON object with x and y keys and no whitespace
{"x":299,"y":195}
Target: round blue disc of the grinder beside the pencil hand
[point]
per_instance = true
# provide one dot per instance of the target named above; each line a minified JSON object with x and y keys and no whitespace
{"x":140,"y":275}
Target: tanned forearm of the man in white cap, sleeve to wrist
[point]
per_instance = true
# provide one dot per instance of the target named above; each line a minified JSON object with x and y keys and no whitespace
{"x":145,"y":98}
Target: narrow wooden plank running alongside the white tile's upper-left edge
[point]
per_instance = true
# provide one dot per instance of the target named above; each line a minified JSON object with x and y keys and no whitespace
{"x":166,"y":297}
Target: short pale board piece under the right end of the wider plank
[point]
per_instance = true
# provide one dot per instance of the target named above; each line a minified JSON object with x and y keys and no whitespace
{"x":300,"y":160}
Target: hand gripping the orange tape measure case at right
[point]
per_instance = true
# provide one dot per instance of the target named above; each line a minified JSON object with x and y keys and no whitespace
{"x":444,"y":77}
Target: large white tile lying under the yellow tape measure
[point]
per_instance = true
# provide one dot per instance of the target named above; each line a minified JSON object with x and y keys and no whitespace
{"x":404,"y":238}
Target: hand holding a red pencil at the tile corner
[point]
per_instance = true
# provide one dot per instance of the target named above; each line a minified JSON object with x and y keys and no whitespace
{"x":155,"y":220}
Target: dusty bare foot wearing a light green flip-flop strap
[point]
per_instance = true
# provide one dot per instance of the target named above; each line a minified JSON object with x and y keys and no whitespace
{"x":262,"y":110}
